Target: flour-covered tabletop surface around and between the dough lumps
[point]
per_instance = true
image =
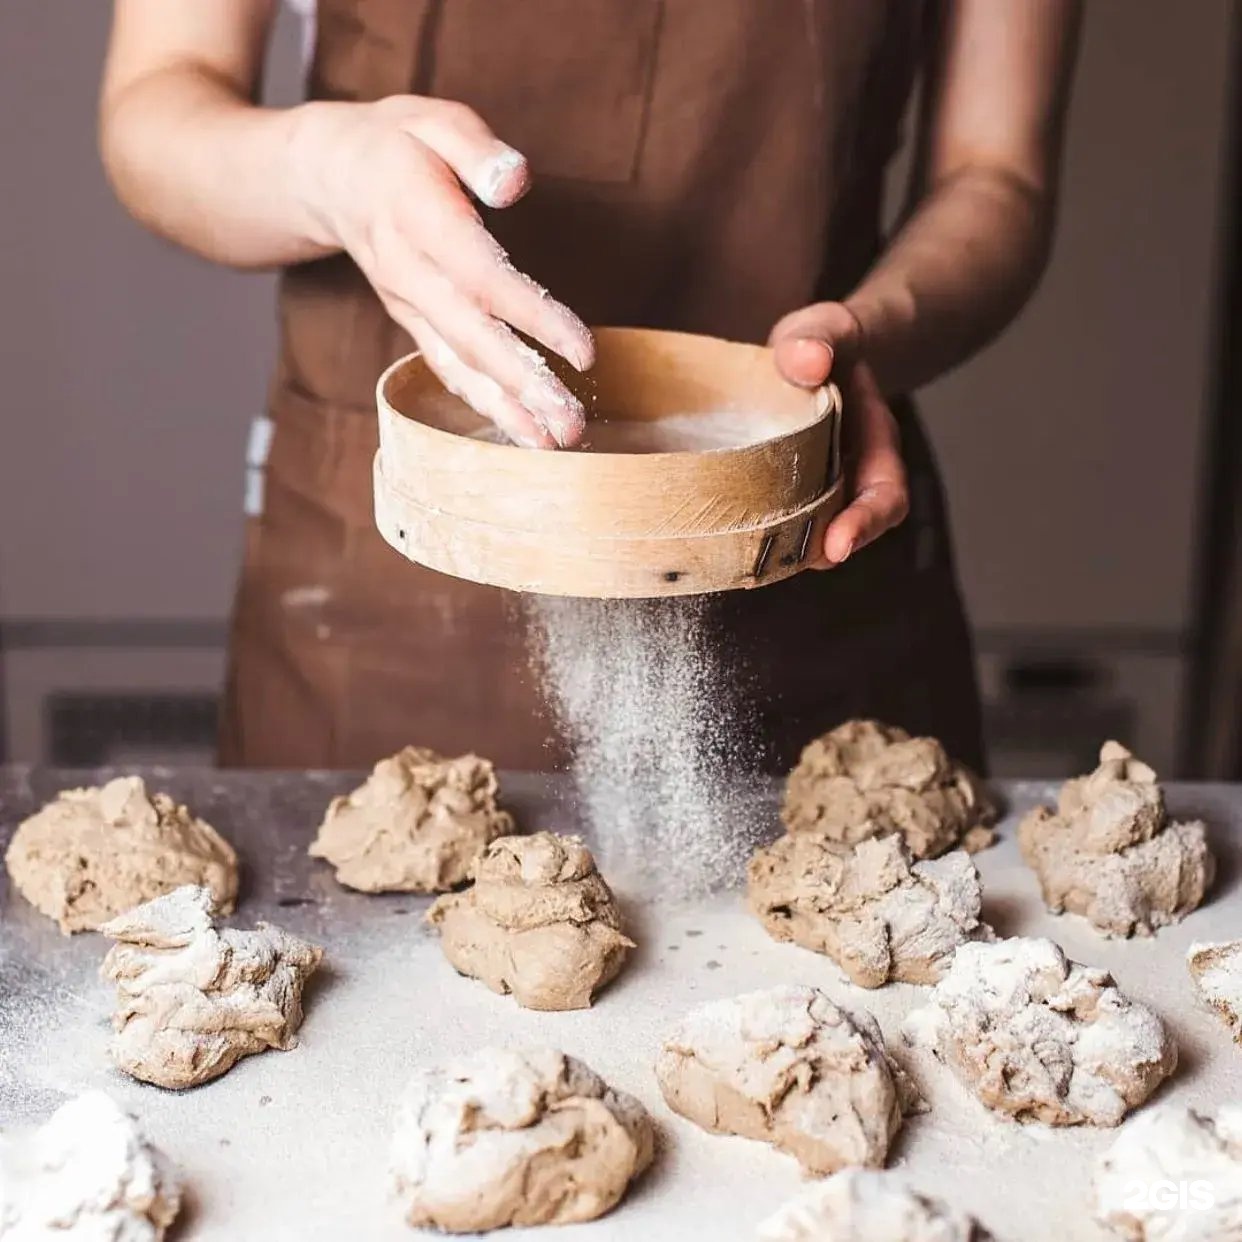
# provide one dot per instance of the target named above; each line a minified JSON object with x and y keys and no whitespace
{"x":295,"y":1145}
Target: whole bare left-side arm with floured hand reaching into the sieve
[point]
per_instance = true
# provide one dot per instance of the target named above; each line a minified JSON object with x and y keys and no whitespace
{"x":399,"y":184}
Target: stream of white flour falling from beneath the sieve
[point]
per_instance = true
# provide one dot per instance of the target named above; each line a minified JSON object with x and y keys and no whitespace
{"x":664,"y":757}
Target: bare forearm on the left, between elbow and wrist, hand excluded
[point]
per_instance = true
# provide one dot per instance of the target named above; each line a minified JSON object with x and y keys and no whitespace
{"x":206,"y":168}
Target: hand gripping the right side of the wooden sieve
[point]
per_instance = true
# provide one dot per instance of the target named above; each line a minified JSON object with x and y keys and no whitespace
{"x":823,"y":341}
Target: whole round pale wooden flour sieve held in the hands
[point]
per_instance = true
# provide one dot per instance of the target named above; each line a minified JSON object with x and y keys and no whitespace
{"x":617,"y":524}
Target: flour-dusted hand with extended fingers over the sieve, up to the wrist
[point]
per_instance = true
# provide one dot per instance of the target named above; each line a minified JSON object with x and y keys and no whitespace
{"x":392,"y":184}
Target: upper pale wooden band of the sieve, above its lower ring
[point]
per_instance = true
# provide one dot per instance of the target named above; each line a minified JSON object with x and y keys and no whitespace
{"x":618,"y":494}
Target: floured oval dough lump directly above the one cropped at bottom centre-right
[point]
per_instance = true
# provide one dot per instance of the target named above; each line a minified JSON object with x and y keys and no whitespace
{"x":788,"y":1067}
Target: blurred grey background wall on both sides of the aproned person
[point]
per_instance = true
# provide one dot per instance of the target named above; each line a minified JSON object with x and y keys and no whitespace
{"x":1072,"y":448}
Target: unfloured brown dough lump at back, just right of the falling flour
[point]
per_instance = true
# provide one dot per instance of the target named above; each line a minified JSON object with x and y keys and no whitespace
{"x":866,"y":779}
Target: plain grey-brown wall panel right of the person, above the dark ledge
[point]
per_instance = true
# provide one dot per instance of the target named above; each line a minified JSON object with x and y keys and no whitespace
{"x":1080,"y":429}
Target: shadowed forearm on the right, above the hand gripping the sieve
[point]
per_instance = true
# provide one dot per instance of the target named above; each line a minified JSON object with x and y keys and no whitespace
{"x":958,"y":273}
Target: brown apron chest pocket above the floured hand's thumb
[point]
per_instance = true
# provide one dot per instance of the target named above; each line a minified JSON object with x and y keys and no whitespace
{"x":567,"y":83}
